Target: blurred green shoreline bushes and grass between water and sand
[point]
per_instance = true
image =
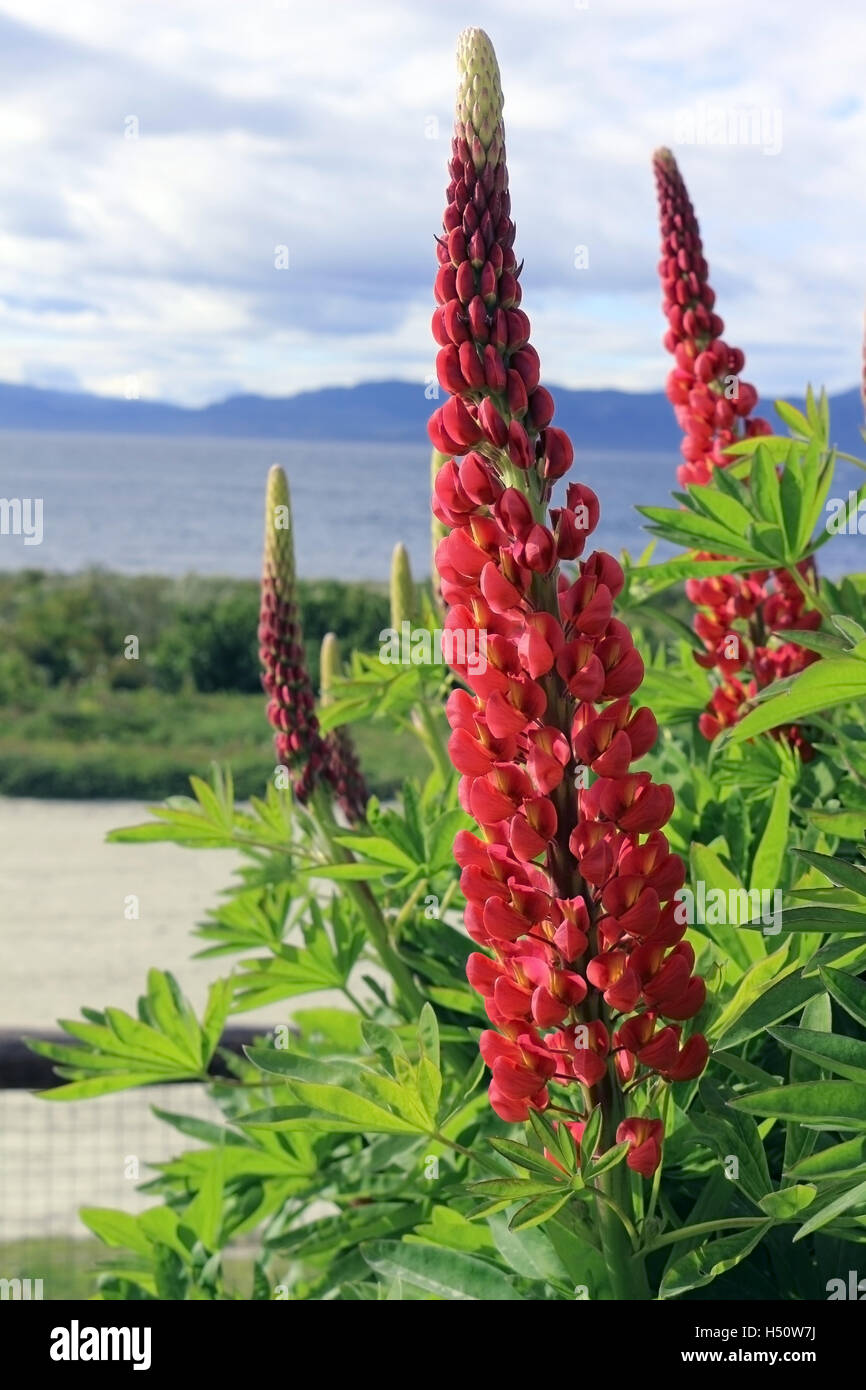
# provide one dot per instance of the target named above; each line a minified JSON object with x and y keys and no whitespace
{"x":81,"y":719}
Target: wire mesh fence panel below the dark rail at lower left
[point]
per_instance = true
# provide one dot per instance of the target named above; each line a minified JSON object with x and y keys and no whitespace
{"x":59,"y":1157}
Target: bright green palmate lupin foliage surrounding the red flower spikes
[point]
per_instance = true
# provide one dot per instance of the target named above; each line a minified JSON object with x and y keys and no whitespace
{"x":354,"y":1146}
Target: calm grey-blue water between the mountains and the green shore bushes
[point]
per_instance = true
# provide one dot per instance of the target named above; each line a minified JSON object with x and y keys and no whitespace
{"x":173,"y":507}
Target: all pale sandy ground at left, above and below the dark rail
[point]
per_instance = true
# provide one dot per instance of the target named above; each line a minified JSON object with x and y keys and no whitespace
{"x":65,"y":943}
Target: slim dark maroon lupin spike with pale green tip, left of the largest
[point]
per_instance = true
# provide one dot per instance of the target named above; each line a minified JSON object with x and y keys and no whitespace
{"x":284,"y":672}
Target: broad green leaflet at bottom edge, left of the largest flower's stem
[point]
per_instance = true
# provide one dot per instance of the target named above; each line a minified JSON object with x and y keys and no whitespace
{"x":446,"y":1274}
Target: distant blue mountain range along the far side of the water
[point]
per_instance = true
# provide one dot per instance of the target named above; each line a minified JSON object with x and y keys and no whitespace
{"x":384,"y":412}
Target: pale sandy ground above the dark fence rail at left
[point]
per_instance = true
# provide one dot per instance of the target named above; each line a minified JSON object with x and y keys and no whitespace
{"x":65,"y":940}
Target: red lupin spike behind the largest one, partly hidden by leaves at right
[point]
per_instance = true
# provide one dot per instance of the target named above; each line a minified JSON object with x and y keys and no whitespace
{"x":714,"y":407}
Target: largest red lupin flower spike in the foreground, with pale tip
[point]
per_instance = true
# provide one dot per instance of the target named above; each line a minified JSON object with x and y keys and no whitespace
{"x":571,"y":882}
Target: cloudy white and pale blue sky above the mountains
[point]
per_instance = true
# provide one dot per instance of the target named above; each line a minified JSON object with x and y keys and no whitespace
{"x":206,"y":198}
